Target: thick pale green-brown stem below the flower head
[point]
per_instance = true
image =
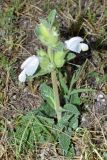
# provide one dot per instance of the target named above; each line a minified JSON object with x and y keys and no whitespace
{"x":56,"y":94}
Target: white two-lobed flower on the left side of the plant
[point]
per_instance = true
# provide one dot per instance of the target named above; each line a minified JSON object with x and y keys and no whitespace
{"x":29,"y":67}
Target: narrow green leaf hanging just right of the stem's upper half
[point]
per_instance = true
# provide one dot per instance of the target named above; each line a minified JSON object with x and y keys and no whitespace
{"x":63,"y":84}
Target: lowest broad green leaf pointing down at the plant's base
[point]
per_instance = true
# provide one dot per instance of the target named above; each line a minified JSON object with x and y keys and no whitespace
{"x":64,"y":142}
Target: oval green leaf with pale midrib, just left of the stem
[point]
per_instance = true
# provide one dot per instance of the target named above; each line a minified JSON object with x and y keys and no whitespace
{"x":47,"y":94}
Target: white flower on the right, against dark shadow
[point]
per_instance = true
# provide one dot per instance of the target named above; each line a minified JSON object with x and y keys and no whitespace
{"x":74,"y":44}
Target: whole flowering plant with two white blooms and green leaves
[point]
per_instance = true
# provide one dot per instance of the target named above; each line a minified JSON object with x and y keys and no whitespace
{"x":49,"y":61}
